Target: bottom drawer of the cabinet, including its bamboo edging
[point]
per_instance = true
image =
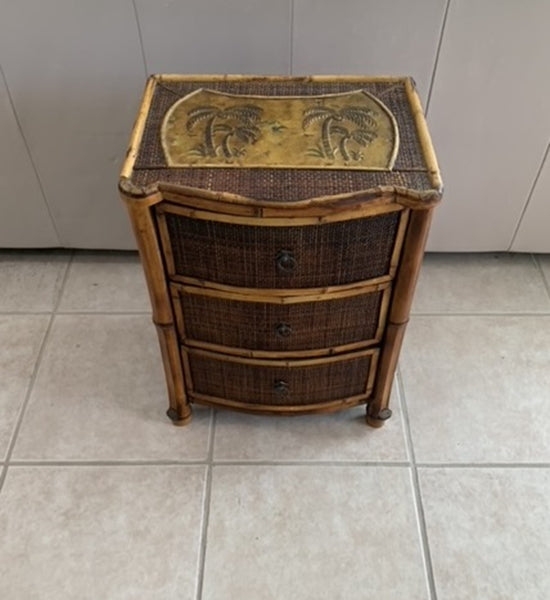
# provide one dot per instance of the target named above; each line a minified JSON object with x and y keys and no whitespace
{"x":272,"y":383}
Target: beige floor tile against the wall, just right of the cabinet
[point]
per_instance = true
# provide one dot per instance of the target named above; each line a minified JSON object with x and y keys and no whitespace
{"x":489,"y":283}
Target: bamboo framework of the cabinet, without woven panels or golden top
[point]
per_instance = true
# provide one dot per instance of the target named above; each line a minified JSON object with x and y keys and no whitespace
{"x":147,"y":205}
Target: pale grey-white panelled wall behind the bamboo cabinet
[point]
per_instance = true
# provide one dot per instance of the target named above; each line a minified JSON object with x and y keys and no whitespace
{"x":74,"y":72}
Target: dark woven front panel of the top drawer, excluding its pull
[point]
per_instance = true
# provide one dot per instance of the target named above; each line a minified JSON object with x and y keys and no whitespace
{"x":242,"y":255}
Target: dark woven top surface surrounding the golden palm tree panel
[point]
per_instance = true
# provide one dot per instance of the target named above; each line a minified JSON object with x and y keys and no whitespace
{"x":282,"y":184}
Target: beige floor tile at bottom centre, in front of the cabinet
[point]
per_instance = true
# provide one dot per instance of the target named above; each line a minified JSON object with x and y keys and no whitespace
{"x":306,"y":532}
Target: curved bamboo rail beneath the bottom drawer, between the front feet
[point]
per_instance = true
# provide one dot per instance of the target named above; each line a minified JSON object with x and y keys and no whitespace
{"x":273,"y":409}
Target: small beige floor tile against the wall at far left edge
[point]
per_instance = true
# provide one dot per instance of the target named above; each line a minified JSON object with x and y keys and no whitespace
{"x":30,"y":281}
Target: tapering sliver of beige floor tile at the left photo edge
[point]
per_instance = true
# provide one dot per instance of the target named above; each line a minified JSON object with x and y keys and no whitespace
{"x":21,"y":337}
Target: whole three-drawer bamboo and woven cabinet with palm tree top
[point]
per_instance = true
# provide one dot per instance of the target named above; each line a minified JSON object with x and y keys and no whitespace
{"x":281,"y":224}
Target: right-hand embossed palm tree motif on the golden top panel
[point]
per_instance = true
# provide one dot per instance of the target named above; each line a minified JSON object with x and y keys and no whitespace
{"x":333,"y":121}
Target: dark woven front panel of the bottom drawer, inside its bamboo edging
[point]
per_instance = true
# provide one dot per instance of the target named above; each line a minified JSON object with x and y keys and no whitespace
{"x":259,"y":384}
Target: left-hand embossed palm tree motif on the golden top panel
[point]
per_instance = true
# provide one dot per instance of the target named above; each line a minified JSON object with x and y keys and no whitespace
{"x":239,"y":123}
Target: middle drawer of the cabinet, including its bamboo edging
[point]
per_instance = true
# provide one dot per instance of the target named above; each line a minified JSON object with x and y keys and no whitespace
{"x":263,"y":325}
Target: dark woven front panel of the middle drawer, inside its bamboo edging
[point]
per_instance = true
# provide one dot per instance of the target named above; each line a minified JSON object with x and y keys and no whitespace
{"x":281,"y":327}
